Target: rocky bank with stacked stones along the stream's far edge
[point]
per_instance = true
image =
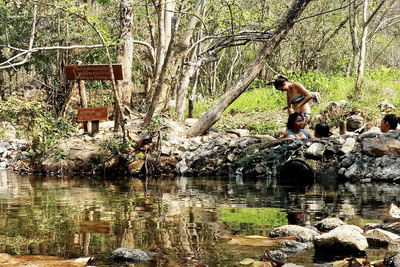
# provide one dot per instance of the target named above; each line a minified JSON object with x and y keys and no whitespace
{"x":371,"y":156}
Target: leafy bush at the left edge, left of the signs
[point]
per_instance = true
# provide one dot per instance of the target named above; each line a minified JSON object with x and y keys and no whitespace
{"x":35,"y":120}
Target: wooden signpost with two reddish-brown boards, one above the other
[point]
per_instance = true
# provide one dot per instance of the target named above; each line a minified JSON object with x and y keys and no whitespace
{"x":92,"y":72}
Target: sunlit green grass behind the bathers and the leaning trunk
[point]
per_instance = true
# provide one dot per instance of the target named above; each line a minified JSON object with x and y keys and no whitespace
{"x":259,"y":98}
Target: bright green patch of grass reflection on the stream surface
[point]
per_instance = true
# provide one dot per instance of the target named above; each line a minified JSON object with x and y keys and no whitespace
{"x":255,"y":216}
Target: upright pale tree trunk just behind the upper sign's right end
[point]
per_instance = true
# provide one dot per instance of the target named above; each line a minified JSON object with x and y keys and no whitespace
{"x":125,"y":49}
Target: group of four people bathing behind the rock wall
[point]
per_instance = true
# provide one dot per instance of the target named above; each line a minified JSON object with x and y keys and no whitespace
{"x":297,"y":97}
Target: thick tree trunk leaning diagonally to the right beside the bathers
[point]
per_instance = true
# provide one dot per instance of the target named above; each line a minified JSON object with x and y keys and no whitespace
{"x":251,"y":72}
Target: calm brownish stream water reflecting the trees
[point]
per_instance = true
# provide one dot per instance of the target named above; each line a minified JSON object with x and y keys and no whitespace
{"x":186,"y":221}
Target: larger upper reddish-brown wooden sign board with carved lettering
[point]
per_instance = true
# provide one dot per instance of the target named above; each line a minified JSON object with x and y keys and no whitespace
{"x":92,"y":72}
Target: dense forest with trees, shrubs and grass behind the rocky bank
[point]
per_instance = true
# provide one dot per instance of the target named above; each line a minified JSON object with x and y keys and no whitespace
{"x":180,"y":57}
